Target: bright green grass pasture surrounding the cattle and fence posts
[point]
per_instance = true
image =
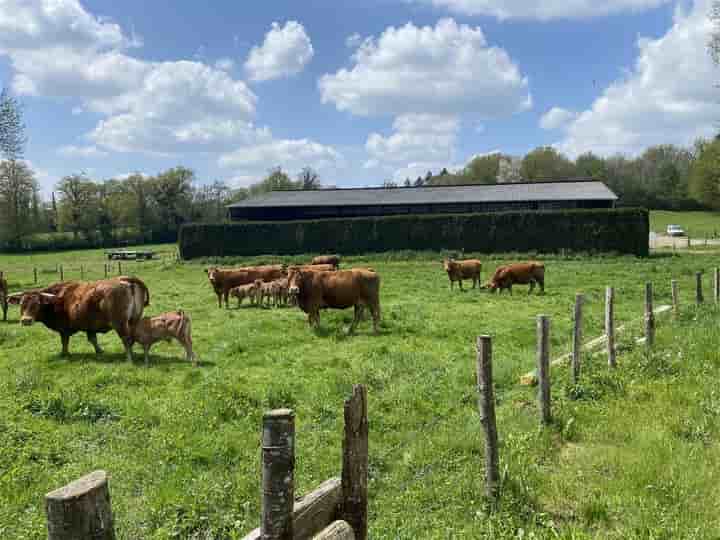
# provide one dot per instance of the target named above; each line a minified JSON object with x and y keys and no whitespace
{"x":632,"y":454}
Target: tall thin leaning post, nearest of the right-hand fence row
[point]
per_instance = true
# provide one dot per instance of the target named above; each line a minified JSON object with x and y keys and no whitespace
{"x":486,"y":407}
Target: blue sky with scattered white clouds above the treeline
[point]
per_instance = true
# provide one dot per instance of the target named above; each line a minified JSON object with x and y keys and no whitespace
{"x":362,"y":91}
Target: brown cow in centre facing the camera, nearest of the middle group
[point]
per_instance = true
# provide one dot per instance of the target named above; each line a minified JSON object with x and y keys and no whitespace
{"x":338,"y":290}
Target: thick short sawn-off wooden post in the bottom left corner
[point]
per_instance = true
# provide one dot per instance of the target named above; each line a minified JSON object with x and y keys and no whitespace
{"x":81,"y":510}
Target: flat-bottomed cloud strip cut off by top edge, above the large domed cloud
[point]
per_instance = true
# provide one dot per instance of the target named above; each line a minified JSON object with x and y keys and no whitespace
{"x":545,"y":9}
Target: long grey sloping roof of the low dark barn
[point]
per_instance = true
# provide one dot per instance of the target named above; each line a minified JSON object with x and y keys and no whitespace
{"x":515,"y":192}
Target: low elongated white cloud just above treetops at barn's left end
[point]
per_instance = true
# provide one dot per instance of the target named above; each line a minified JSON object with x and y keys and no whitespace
{"x":291,"y":155}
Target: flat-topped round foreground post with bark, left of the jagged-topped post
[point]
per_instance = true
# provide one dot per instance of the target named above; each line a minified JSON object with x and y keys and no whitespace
{"x":278,"y":483}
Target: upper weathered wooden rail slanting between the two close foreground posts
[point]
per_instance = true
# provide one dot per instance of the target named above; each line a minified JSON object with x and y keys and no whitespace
{"x":314,"y":511}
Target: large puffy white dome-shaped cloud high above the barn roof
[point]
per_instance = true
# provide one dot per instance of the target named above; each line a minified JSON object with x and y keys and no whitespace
{"x":446,"y":69}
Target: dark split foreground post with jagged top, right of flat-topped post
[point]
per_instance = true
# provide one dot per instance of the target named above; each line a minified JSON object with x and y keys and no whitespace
{"x":354,"y":506}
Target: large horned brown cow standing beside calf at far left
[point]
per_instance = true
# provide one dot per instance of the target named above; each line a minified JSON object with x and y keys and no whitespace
{"x":94,"y":307}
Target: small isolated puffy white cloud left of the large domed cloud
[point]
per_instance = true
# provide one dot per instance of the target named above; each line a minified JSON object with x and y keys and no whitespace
{"x":285,"y":51}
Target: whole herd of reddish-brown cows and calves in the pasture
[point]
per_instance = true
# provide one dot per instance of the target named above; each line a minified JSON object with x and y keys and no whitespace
{"x":117,"y":304}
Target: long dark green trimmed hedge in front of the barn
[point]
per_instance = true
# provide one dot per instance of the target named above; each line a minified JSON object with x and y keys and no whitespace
{"x":608,"y":230}
